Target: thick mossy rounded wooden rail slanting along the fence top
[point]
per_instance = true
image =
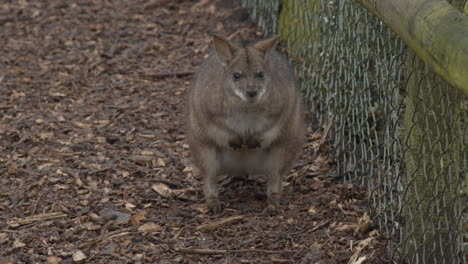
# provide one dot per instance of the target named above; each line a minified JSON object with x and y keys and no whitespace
{"x":434,"y":30}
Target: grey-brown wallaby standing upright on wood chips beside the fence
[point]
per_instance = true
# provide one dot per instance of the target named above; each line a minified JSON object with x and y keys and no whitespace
{"x":245,"y":117}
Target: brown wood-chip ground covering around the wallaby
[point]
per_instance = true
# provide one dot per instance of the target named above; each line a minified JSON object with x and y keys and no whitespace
{"x":94,"y":167}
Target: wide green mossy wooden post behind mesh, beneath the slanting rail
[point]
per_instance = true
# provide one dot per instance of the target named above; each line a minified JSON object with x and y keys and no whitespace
{"x":434,"y":123}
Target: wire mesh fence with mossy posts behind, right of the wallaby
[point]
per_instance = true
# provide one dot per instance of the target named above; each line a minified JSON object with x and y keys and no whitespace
{"x":398,"y":128}
